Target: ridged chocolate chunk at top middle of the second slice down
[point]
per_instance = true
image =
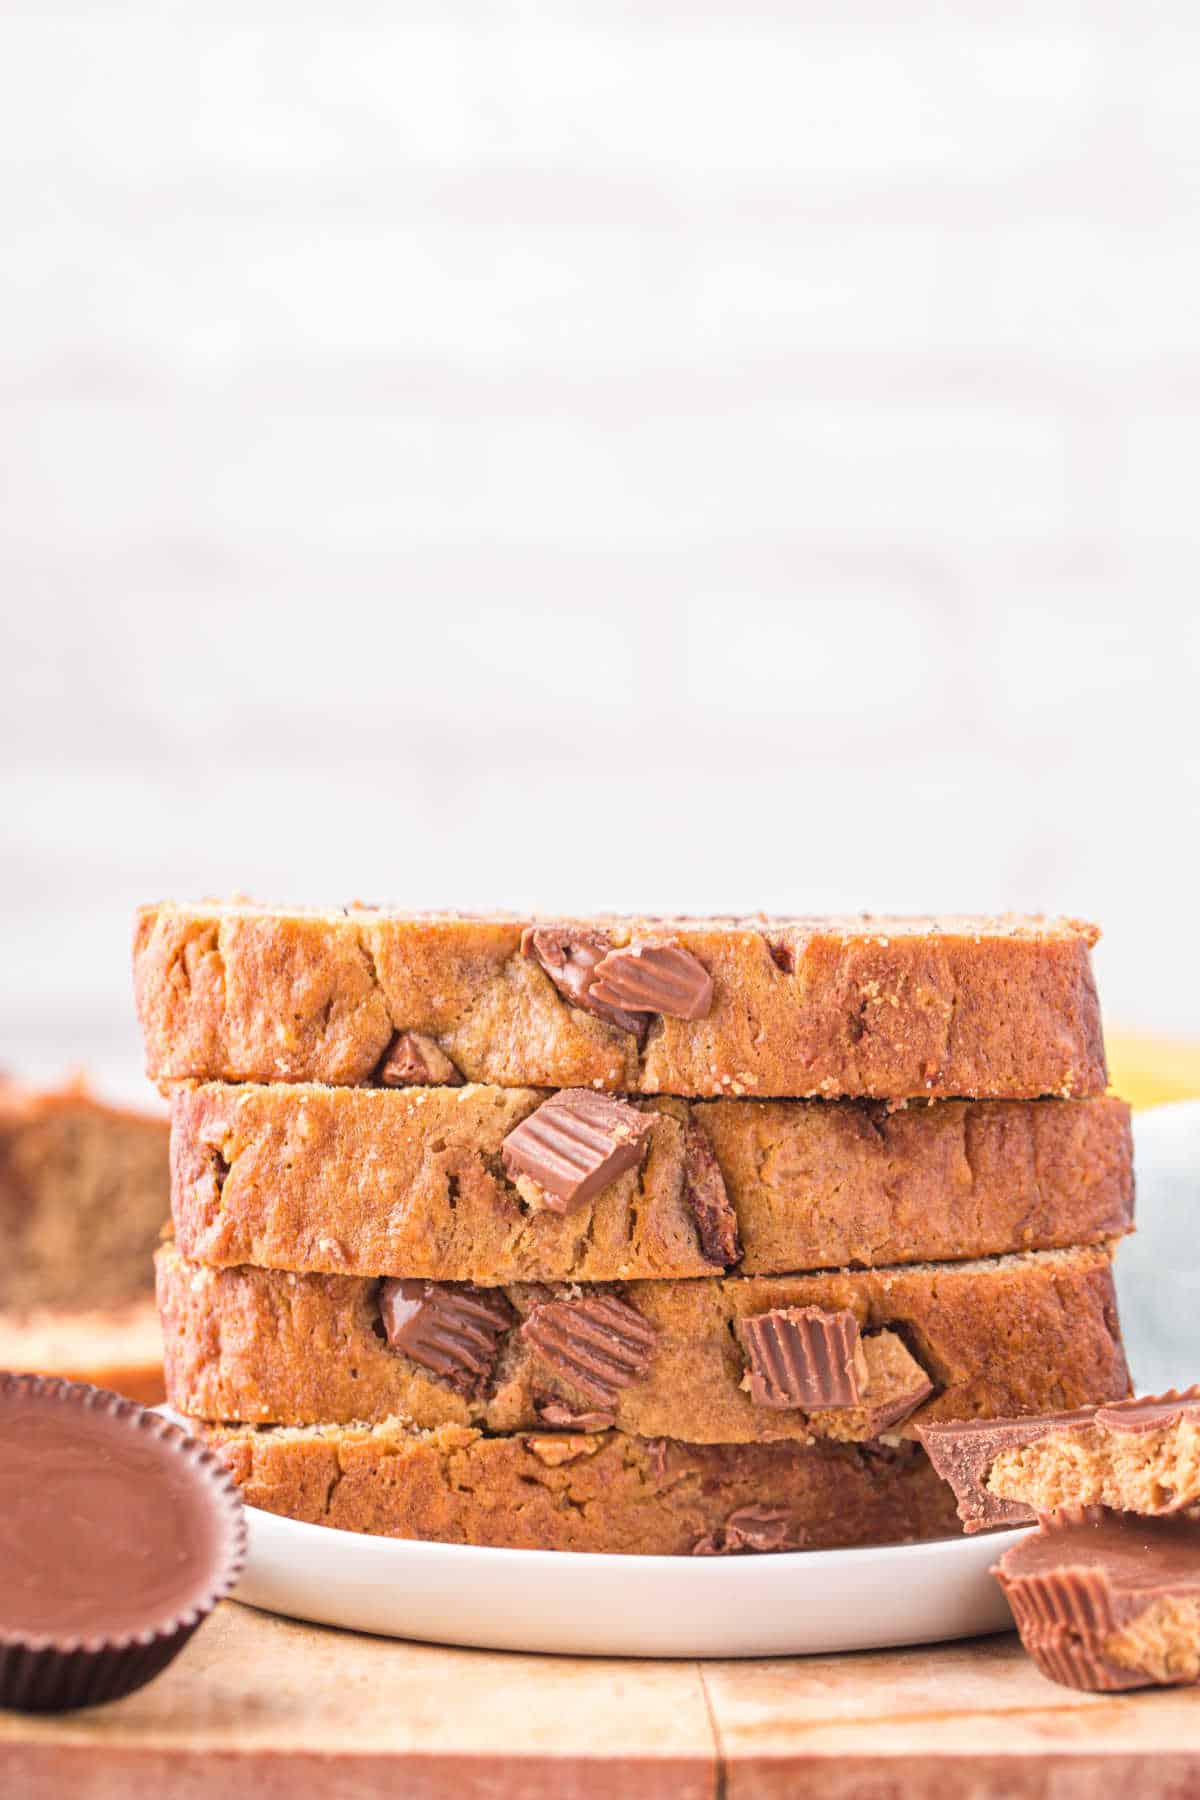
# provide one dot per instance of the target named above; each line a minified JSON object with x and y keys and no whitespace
{"x":575,"y":1144}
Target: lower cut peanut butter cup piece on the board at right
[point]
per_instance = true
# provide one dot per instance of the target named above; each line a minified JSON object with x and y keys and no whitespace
{"x":1107,"y":1601}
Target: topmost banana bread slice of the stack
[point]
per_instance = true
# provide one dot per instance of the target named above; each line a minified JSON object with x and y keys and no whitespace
{"x":769,"y":1009}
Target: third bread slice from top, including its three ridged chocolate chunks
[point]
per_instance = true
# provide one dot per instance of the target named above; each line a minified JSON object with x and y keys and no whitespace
{"x":740,"y":1360}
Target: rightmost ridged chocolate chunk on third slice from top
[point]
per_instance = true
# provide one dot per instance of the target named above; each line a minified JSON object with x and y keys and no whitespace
{"x":803,"y":1358}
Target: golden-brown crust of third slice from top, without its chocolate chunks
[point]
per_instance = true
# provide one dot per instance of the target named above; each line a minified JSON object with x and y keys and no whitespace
{"x":1019,"y":1335}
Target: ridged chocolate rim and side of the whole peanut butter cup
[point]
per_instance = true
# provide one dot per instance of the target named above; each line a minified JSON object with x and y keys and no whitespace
{"x":57,"y":1675}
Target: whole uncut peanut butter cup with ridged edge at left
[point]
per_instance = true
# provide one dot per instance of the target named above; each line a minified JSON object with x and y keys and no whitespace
{"x":118,"y":1538}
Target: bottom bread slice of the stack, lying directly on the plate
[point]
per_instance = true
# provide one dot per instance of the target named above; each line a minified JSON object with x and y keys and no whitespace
{"x":587,"y":1491}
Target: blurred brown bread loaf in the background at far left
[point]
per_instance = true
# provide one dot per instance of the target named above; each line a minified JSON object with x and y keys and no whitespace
{"x":84,"y":1196}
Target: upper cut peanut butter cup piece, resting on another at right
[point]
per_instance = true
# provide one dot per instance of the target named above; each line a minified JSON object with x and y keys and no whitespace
{"x":965,"y":1452}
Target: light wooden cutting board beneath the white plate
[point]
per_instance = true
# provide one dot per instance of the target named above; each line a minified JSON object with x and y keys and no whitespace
{"x":274,"y":1711}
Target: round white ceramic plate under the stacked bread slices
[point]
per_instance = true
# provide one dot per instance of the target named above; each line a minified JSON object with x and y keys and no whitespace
{"x":627,"y":1606}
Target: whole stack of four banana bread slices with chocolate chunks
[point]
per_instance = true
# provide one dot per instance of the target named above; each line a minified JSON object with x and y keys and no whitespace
{"x":627,"y":1234}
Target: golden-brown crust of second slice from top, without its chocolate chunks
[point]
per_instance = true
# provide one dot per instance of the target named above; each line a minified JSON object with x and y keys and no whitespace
{"x":372,"y":1182}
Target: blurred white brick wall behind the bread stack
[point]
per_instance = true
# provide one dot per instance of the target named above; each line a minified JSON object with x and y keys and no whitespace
{"x":708,"y":456}
